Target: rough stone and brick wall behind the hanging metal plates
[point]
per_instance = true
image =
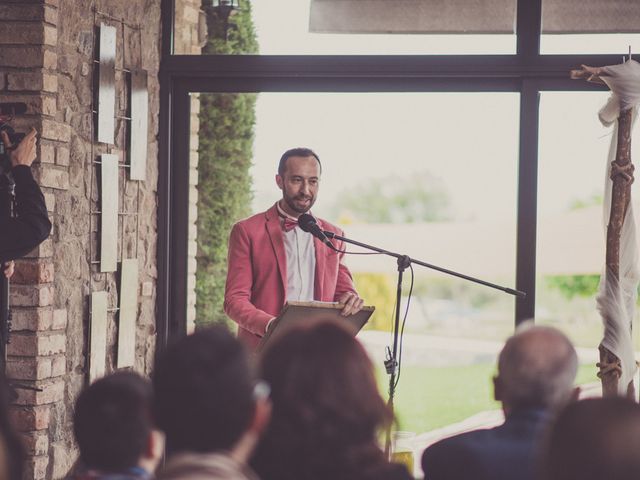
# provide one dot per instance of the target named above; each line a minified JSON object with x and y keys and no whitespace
{"x":47,"y":61}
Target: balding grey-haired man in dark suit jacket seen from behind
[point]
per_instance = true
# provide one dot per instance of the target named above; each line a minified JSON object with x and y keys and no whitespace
{"x":536,"y":371}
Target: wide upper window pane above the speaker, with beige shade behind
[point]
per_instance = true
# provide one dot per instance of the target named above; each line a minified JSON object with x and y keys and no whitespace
{"x":306,"y":27}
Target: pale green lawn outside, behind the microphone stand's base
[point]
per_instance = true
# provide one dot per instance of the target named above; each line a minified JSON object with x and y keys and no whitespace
{"x":432,"y":397}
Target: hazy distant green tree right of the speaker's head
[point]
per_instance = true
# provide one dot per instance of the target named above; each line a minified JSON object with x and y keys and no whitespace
{"x":420,"y":197}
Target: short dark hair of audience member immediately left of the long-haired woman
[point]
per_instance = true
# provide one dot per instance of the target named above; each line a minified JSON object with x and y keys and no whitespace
{"x":204,"y":392}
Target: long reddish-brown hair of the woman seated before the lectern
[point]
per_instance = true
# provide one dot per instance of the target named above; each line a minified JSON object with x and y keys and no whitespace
{"x":327,"y":410}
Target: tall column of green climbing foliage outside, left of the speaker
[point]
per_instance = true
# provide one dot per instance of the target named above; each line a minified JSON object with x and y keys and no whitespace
{"x":225,"y":154}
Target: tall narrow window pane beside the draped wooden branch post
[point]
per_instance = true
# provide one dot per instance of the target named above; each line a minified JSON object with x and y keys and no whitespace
{"x":571,"y":236}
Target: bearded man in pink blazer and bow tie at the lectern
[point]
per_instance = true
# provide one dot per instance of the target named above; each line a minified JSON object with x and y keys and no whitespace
{"x":271,"y":259}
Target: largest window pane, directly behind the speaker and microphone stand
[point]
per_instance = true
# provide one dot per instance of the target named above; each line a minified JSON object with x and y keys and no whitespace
{"x":429,"y":175}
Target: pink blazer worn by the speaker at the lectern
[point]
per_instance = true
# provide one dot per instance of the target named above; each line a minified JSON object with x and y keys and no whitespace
{"x":257,"y":273}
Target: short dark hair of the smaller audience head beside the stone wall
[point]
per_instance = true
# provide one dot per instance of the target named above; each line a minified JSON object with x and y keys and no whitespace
{"x":112,"y":422}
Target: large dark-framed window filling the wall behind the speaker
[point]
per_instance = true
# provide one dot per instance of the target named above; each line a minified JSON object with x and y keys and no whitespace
{"x":485,"y":125}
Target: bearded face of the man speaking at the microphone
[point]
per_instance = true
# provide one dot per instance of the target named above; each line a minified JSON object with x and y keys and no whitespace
{"x":299,"y":185}
